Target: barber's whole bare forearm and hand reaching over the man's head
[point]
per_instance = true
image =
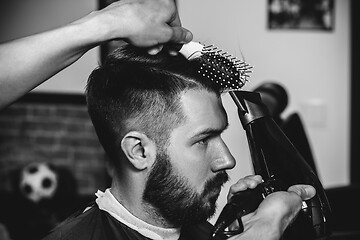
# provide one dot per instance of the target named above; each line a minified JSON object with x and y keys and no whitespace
{"x":27,"y":62}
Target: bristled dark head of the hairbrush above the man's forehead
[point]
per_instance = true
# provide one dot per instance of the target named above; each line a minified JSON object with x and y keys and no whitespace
{"x":224,"y":69}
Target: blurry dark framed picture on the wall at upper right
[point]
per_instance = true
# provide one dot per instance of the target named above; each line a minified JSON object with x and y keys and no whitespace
{"x":301,"y":14}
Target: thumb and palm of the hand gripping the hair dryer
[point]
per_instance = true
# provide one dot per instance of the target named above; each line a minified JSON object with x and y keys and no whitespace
{"x":275,"y":213}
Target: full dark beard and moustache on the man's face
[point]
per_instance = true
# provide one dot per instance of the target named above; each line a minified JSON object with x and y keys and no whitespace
{"x":174,"y":199}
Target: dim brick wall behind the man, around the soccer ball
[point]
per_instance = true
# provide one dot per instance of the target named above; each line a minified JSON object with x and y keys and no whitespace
{"x":53,"y":128}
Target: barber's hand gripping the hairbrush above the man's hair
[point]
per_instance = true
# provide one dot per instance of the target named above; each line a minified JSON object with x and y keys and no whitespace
{"x":143,"y":23}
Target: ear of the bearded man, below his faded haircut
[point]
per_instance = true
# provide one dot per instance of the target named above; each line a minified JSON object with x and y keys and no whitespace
{"x":139,"y":149}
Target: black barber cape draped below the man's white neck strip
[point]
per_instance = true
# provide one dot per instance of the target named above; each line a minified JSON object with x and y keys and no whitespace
{"x":96,"y":224}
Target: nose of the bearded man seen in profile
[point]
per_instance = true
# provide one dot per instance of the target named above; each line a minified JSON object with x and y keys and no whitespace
{"x":223,"y":159}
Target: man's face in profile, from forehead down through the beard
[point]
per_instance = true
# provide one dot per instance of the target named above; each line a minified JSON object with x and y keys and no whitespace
{"x":186,"y":178}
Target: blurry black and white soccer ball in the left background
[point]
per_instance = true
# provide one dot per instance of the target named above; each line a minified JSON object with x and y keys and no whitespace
{"x":38,"y":182}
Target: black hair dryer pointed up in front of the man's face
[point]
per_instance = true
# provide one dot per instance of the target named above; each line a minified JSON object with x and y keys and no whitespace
{"x":276,"y":159}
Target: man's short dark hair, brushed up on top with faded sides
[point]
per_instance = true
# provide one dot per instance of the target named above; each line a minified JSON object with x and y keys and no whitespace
{"x":133,"y":90}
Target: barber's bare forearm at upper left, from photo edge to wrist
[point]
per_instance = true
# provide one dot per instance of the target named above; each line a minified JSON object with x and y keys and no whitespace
{"x":29,"y":61}
